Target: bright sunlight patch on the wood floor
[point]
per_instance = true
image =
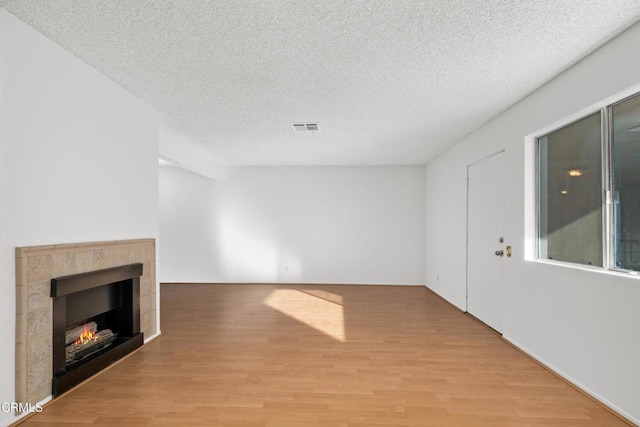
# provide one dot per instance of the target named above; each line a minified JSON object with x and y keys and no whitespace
{"x":319,"y":310}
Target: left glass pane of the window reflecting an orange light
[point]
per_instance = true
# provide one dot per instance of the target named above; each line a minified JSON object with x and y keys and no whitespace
{"x":570,"y":193}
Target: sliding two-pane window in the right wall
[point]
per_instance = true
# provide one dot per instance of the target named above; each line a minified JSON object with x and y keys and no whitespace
{"x":588,"y":189}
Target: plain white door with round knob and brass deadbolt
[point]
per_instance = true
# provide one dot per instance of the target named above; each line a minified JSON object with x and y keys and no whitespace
{"x":485,"y":240}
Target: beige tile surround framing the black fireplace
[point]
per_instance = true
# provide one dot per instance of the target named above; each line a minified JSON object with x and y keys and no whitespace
{"x":35,"y":267}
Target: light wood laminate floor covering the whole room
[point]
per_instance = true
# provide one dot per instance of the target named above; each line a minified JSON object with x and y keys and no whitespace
{"x":263,"y":355}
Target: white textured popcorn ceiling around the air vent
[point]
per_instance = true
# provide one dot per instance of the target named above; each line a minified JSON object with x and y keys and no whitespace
{"x":390,"y":82}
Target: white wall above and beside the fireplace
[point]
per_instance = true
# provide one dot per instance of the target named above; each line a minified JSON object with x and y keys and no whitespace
{"x":78,"y":162}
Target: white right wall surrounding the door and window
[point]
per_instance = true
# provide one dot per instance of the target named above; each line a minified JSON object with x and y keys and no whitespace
{"x":584,"y":324}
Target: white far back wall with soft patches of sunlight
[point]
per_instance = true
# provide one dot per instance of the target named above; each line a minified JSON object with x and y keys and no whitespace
{"x":294,"y":224}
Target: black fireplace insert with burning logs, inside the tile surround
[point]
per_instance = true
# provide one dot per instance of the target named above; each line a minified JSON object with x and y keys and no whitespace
{"x":96,"y":321}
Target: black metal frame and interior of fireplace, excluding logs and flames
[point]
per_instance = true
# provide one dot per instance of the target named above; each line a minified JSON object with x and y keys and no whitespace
{"x":120,"y":290}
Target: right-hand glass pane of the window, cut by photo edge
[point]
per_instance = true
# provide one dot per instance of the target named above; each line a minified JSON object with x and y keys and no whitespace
{"x":626,"y":183}
